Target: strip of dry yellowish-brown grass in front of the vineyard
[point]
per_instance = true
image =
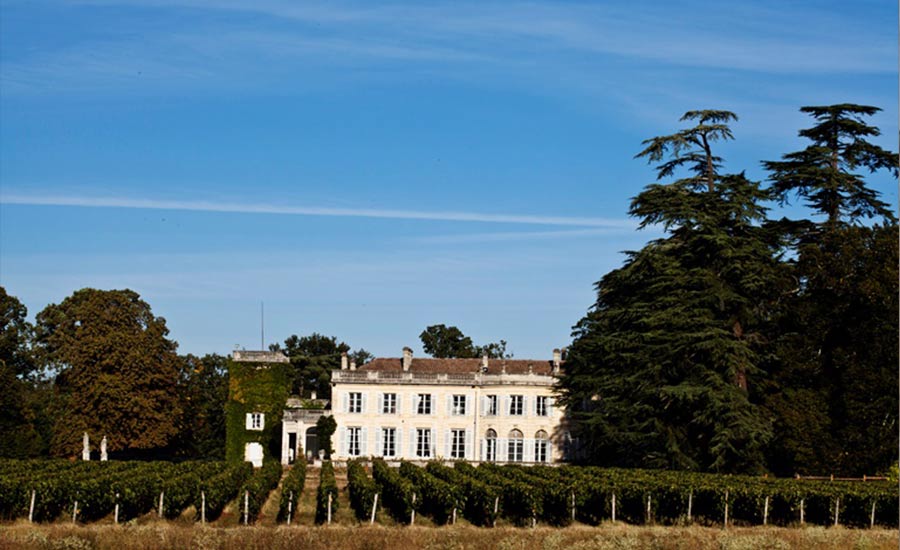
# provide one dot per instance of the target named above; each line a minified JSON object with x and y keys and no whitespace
{"x":169,"y":535}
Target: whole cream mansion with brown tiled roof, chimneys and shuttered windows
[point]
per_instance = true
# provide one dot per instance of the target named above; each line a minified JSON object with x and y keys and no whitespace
{"x":496,"y":410}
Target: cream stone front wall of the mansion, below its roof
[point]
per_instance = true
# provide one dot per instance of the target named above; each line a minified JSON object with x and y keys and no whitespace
{"x":358,"y":406}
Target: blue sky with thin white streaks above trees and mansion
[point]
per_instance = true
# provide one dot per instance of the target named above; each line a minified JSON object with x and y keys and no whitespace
{"x":367,"y":169}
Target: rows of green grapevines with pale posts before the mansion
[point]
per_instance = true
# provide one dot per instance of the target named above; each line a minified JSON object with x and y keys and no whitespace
{"x":437,"y":494}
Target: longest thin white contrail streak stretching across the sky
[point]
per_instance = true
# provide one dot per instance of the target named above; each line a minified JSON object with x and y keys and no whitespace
{"x":250,"y":208}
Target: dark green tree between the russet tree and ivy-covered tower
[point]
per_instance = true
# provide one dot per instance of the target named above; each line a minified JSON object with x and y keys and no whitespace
{"x":203,"y":392}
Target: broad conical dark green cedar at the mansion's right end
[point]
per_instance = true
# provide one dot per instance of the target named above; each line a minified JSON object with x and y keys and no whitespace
{"x":660,"y":369}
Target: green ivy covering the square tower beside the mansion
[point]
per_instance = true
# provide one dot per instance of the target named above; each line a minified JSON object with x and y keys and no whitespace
{"x":255,"y":387}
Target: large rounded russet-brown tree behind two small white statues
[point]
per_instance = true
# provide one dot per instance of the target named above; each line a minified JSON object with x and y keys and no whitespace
{"x":117,"y":373}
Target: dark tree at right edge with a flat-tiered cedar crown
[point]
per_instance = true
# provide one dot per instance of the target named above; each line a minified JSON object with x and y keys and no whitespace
{"x":834,"y":379}
